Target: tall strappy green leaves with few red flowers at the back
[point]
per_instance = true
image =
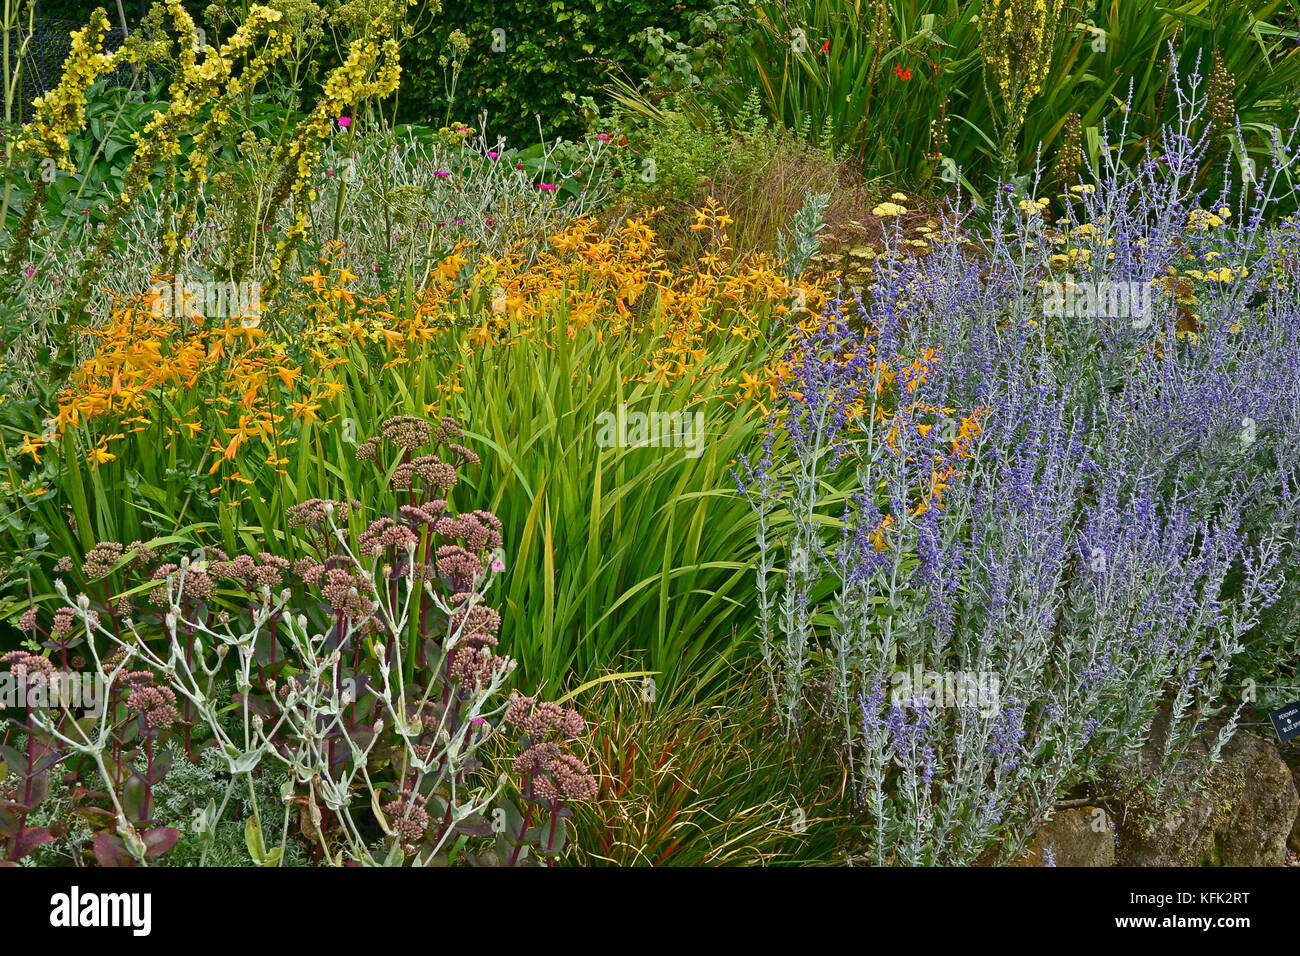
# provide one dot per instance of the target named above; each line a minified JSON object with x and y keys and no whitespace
{"x":902,"y":84}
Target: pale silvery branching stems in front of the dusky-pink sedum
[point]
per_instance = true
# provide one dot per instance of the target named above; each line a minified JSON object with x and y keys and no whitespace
{"x":296,"y":743}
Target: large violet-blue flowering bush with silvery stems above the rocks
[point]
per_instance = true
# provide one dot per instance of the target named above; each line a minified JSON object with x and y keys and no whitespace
{"x":1113,"y":529}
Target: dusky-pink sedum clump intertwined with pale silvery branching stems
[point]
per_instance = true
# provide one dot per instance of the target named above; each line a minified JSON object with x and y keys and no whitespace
{"x":372,"y":723}
